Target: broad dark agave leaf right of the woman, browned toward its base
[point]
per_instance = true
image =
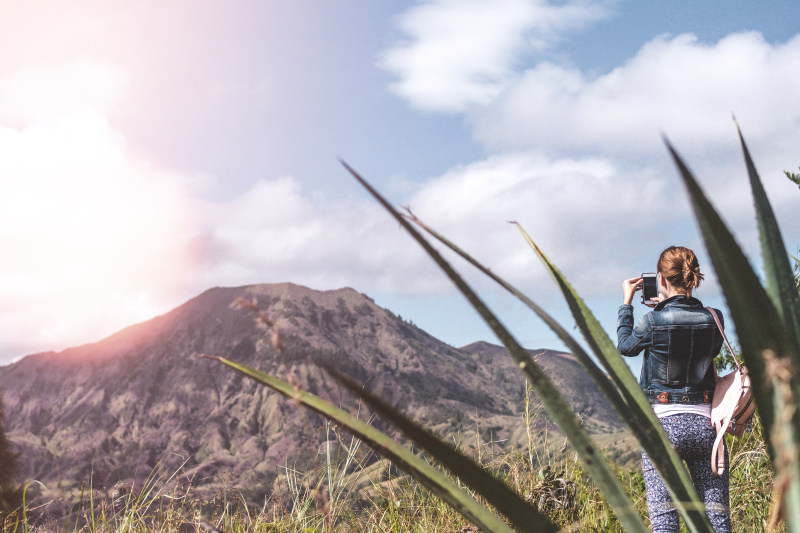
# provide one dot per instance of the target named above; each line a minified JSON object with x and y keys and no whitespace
{"x":765,"y":345}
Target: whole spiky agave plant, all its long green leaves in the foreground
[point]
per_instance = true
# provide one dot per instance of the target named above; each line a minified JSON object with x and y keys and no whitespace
{"x":768,"y":324}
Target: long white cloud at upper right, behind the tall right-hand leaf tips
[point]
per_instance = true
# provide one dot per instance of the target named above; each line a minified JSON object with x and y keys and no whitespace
{"x":677,"y":85}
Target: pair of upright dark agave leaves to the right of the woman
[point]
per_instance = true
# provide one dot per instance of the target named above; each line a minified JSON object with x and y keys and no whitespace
{"x":768,"y":325}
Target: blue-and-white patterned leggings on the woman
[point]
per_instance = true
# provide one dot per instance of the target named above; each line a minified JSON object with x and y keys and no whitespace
{"x":693,"y":437}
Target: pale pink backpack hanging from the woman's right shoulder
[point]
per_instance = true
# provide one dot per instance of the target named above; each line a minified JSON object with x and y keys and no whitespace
{"x":732,"y":405}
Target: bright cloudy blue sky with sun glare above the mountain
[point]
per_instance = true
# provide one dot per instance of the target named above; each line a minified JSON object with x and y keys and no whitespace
{"x":152,"y":150}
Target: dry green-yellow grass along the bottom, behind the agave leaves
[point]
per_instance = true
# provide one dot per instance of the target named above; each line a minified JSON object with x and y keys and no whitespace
{"x":354,"y":490}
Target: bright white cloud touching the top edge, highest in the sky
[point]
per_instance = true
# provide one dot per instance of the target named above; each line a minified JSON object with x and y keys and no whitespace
{"x":464,"y":52}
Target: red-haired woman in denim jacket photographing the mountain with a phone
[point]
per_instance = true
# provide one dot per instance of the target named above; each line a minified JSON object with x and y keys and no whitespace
{"x":680,"y":340}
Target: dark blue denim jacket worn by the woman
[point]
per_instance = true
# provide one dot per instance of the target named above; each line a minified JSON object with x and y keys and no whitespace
{"x":680,"y":340}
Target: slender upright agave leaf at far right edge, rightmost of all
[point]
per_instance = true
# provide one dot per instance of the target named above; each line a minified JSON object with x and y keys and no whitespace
{"x":781,"y":284}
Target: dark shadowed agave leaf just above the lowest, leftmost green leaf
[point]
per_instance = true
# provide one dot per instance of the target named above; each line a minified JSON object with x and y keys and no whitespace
{"x":521,"y":515}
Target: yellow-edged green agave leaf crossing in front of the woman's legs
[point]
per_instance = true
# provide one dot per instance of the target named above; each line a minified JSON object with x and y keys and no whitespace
{"x":640,"y":416}
